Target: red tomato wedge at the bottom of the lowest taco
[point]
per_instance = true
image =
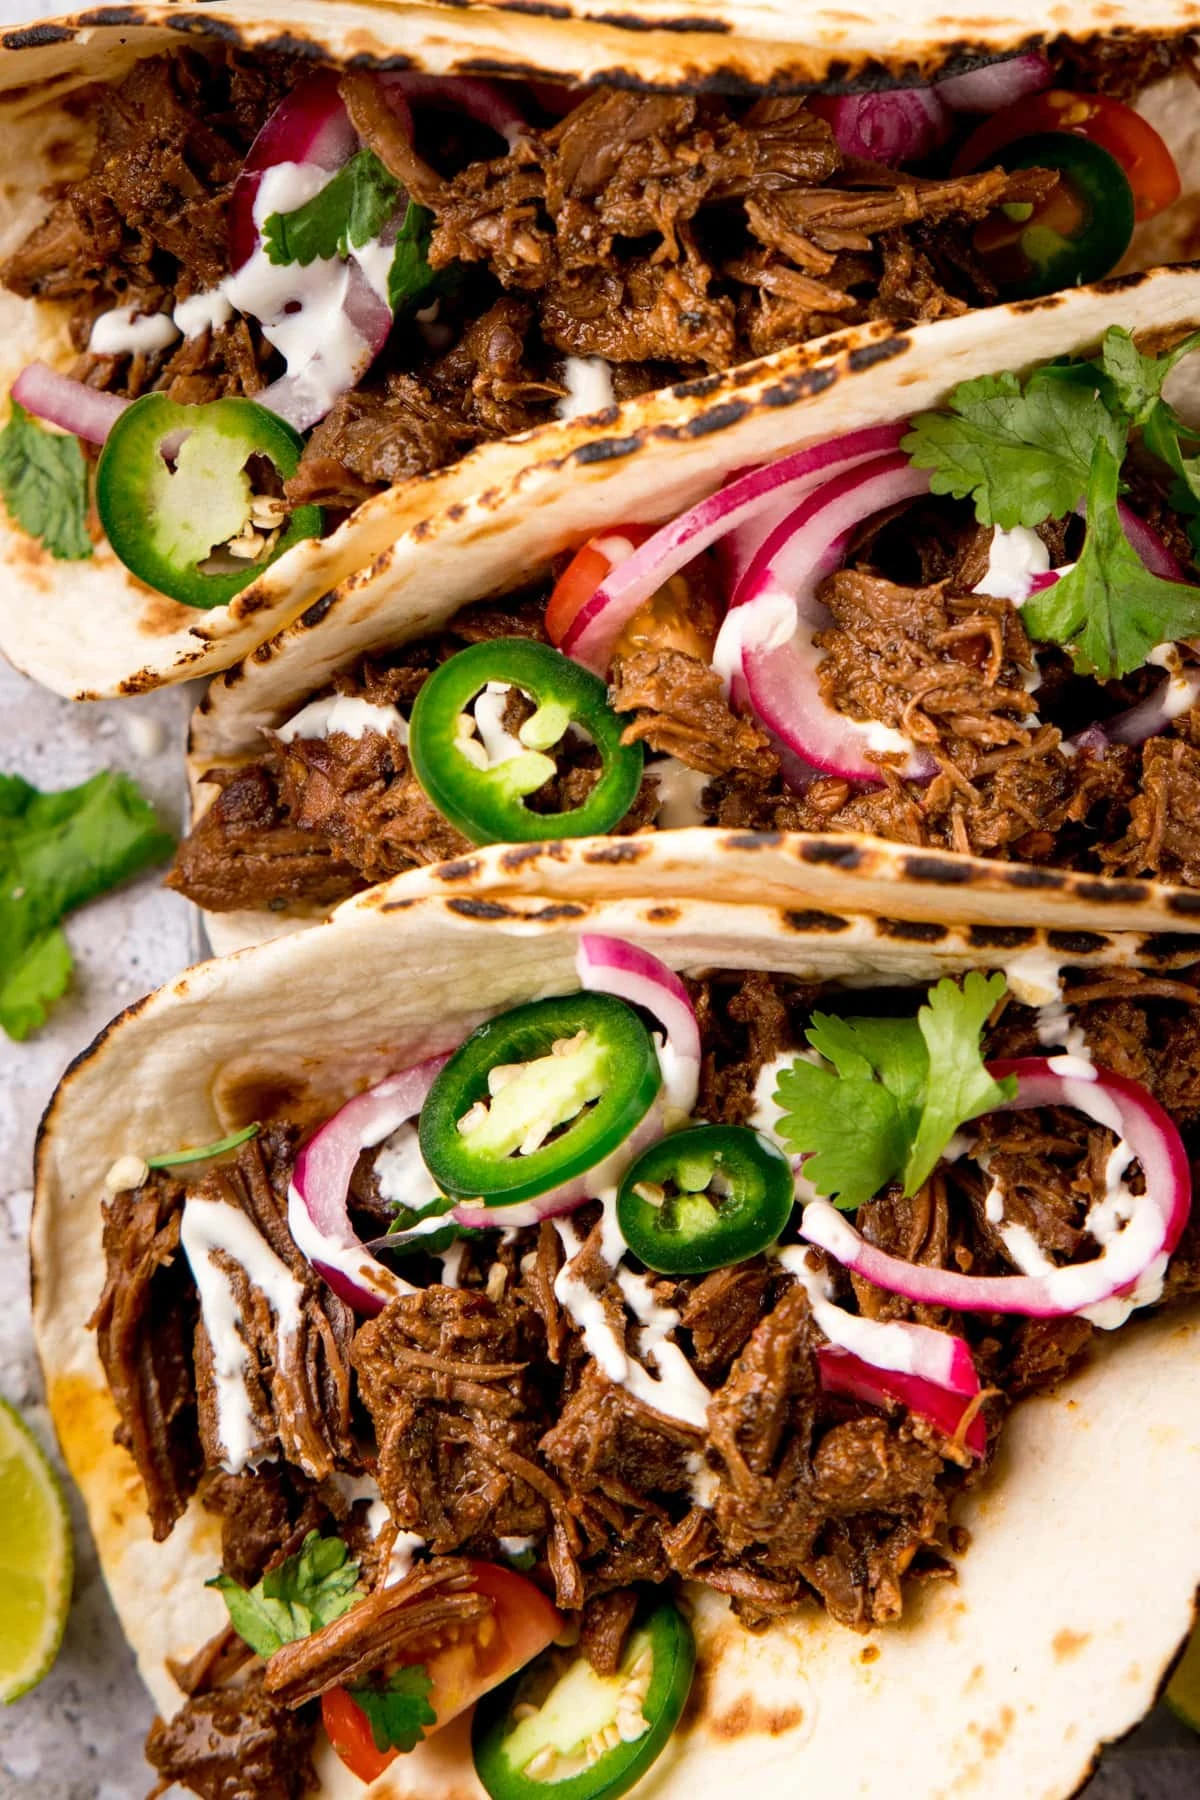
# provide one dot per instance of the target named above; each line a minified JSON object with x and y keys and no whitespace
{"x":523,"y":1623}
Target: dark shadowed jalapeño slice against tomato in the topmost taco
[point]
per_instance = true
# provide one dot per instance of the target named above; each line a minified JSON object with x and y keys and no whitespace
{"x":1077,"y":235}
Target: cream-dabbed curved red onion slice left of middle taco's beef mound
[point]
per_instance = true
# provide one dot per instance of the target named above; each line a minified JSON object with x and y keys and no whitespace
{"x":769,"y":640}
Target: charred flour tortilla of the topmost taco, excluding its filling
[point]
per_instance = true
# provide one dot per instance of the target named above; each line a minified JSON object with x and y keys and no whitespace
{"x":91,"y":629}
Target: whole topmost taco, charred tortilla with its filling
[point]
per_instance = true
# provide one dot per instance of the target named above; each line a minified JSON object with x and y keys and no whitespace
{"x":271,"y":276}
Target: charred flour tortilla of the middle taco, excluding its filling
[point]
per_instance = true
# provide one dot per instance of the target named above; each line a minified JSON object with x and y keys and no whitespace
{"x":501,"y":539}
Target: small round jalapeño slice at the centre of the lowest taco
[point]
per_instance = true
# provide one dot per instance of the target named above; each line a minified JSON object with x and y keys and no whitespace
{"x":706,"y":1198}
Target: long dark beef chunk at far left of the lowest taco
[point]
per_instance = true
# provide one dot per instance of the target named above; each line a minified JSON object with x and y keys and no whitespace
{"x":145,"y":1324}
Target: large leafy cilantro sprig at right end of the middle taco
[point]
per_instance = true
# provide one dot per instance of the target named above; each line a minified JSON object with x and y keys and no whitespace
{"x":1037,"y":449}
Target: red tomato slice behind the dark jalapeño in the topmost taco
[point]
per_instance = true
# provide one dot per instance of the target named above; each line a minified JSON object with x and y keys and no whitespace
{"x":1131,"y":139}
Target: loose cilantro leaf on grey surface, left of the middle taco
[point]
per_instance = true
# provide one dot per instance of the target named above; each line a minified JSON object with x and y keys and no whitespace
{"x":58,"y":850}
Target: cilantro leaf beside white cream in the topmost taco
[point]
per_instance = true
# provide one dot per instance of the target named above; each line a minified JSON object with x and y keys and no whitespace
{"x":352,"y":211}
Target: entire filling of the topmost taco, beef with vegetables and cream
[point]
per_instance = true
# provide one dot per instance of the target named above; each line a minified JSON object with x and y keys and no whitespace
{"x":291,"y":289}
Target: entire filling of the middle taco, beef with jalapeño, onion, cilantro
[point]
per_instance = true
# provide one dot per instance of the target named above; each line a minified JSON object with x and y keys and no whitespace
{"x":974,"y":631}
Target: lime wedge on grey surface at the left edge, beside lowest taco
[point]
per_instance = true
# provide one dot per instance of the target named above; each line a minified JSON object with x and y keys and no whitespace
{"x":35,"y":1560}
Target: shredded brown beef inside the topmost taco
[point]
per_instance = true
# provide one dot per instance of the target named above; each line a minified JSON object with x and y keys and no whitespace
{"x":663,"y":233}
